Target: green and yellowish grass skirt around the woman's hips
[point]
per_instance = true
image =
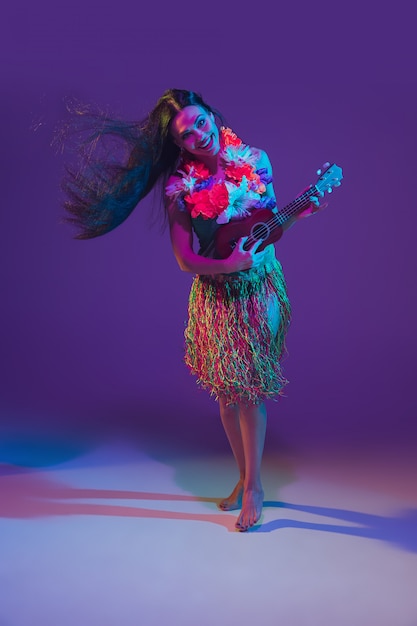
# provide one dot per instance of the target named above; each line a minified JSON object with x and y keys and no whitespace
{"x":230,"y":344}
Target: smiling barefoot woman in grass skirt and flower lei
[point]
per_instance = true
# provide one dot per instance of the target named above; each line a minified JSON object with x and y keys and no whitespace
{"x":238,"y":309}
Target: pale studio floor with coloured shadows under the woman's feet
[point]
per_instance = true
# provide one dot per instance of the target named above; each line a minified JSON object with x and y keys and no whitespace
{"x":114,"y":536}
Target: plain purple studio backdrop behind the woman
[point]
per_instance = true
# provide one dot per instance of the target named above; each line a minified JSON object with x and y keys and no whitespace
{"x":92,"y":331}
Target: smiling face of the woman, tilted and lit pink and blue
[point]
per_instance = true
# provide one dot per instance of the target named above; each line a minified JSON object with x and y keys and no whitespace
{"x":194,"y":129}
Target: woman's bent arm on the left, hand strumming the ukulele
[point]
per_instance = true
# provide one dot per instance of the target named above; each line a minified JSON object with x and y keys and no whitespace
{"x":189,"y":261}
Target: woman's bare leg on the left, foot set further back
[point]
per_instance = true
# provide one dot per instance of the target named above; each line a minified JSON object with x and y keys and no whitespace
{"x":230,"y":420}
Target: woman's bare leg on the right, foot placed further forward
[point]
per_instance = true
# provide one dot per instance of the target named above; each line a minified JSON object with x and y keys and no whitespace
{"x":253,"y":429}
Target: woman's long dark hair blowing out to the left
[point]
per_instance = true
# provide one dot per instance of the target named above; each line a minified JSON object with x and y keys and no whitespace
{"x":120,"y":162}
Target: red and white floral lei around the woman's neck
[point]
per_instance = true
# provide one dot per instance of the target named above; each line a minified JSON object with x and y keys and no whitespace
{"x":234,"y":197}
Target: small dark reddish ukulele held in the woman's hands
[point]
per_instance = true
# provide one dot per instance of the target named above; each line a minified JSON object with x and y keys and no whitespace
{"x":266,"y":225}
